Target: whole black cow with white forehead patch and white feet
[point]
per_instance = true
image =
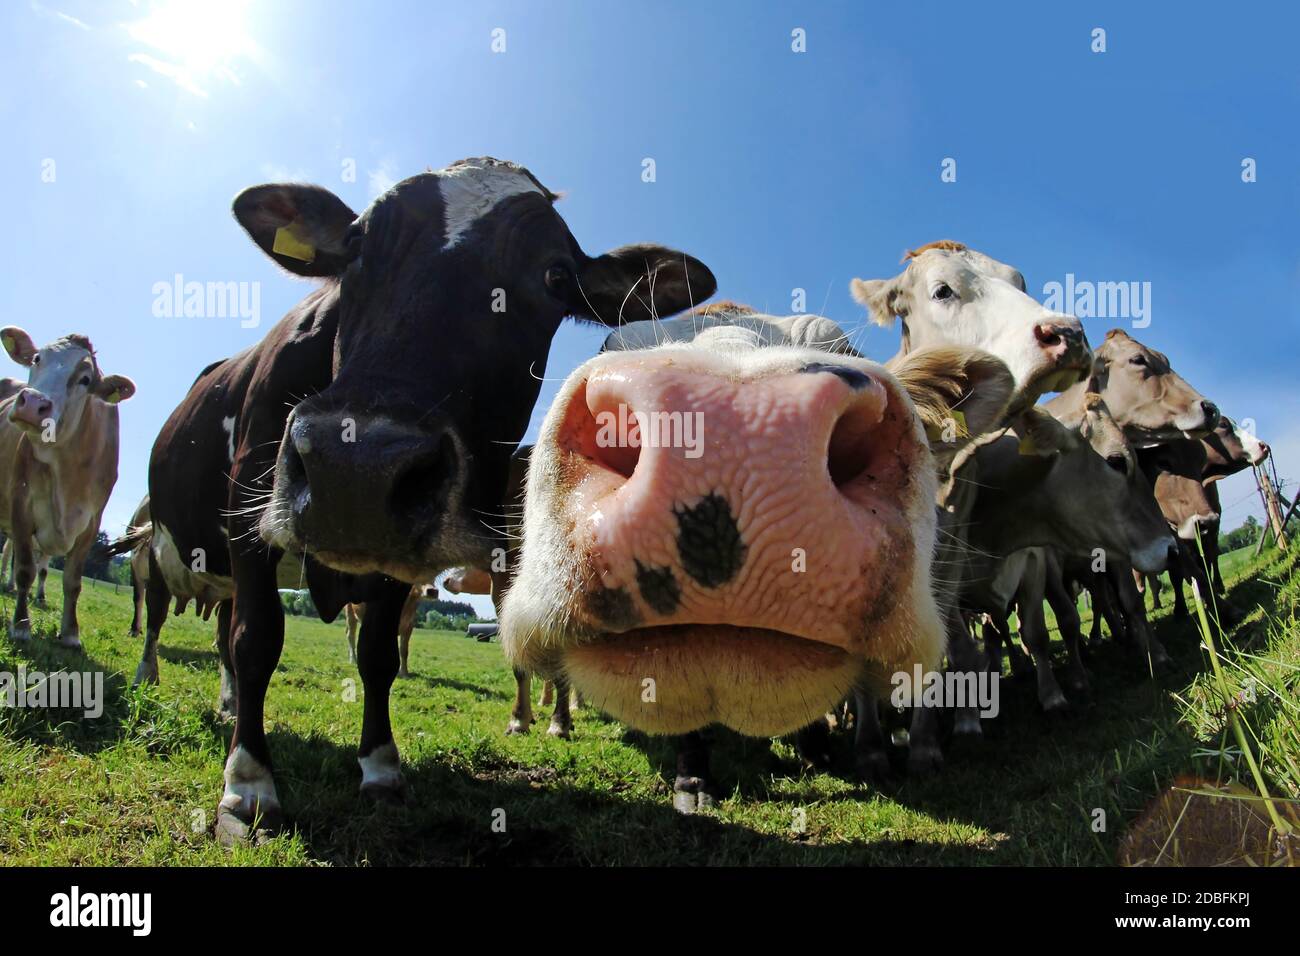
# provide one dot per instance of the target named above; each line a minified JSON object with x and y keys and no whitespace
{"x":371,"y":429}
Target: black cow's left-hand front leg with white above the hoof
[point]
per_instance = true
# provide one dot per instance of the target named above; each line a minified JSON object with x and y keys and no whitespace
{"x":250,"y":803}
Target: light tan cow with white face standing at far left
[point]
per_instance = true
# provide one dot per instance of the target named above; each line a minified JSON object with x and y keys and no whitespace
{"x":59,"y":442}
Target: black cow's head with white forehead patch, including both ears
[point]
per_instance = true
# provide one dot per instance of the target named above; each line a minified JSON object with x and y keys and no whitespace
{"x":450,"y":288}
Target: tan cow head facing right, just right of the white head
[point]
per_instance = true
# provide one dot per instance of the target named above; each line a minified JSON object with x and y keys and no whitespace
{"x":1147,"y":397}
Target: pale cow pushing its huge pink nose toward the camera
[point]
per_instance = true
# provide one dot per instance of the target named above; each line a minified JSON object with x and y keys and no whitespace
{"x":760,"y":544}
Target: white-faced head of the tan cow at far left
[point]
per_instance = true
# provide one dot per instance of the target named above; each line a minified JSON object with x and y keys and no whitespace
{"x":62,"y":379}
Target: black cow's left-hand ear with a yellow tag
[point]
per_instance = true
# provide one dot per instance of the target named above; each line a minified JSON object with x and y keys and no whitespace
{"x":302,"y":228}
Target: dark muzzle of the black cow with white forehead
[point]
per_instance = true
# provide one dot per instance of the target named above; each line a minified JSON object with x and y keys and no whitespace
{"x":366,"y":494}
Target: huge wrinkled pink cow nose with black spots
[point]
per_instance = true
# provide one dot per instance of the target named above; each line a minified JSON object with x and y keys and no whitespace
{"x":694,"y":490}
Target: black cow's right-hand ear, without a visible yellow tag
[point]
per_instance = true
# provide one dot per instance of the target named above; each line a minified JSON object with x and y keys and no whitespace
{"x":642,"y":283}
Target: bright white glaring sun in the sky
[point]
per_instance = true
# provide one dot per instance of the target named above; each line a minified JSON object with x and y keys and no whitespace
{"x":202,"y":37}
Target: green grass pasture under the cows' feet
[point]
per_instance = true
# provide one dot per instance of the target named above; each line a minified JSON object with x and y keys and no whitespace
{"x":141,"y":784}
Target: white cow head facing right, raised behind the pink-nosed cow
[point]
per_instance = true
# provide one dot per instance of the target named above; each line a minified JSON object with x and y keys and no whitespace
{"x":951,"y":295}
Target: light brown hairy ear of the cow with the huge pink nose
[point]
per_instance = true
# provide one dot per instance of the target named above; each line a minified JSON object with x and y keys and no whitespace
{"x":959,"y":393}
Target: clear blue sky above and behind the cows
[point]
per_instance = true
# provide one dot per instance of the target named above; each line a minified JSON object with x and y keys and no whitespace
{"x":781,"y":170}
